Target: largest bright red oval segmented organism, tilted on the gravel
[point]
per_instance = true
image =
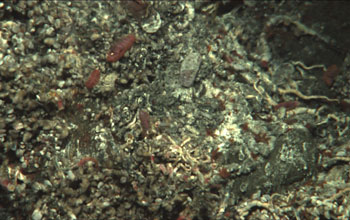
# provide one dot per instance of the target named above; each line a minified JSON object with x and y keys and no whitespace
{"x":120,"y":47}
